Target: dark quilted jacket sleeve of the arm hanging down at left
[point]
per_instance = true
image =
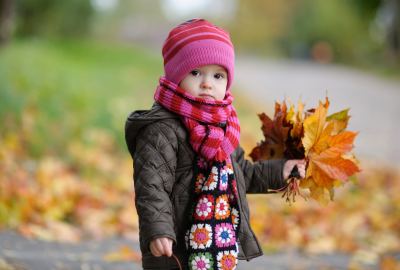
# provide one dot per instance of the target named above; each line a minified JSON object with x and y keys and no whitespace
{"x":154,"y":174}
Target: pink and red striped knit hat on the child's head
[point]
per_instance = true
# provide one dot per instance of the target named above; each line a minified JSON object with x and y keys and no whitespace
{"x":196,"y":43}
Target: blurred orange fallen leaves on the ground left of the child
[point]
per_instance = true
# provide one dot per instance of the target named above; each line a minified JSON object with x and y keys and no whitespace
{"x":88,"y":196}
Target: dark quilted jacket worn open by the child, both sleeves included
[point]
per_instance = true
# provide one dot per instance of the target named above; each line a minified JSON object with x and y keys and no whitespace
{"x":163,"y":171}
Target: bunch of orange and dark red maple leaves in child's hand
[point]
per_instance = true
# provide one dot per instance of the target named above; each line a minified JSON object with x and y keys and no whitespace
{"x":312,"y":135}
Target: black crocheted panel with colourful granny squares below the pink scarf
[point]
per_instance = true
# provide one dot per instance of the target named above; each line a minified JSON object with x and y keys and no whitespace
{"x":212,"y":238}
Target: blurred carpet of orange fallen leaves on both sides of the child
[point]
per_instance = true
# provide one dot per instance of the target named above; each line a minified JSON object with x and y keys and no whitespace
{"x":78,"y":198}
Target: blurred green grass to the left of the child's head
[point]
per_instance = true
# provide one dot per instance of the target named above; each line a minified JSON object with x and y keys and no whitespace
{"x":54,"y":91}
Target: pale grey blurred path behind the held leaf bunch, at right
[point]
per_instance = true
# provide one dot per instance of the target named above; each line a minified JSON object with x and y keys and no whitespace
{"x":373,"y":101}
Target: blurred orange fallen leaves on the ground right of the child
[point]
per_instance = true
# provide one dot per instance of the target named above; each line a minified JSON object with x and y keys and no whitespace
{"x":363,"y":220}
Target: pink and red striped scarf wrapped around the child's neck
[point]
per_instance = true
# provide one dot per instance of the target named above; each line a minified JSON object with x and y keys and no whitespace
{"x":204,"y":120}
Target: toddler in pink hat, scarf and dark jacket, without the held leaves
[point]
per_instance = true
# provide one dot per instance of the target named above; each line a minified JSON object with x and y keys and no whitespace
{"x":190,"y":174}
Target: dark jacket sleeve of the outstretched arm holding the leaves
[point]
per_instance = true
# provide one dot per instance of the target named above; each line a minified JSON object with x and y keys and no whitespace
{"x":261,"y":176}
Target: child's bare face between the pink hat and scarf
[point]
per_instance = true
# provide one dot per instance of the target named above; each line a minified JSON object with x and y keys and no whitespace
{"x":208,"y":82}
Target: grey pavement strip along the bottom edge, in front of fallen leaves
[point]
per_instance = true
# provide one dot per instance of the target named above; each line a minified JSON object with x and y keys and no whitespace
{"x":18,"y":253}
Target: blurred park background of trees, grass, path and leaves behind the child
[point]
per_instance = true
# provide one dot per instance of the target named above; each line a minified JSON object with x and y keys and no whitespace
{"x":71,"y":72}
